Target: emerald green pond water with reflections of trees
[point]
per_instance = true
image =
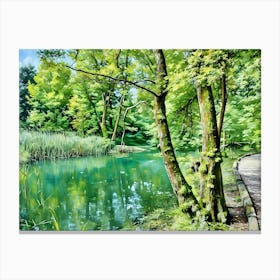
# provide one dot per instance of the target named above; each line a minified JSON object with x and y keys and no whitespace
{"x":104,"y":193}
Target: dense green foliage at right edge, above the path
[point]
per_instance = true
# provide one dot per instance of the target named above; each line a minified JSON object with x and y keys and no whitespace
{"x":243,"y":120}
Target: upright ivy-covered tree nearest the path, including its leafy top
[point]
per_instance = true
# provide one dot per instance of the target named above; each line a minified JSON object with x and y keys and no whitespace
{"x":206,"y":70}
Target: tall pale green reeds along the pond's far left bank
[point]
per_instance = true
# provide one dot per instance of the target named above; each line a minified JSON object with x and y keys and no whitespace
{"x":42,"y":145}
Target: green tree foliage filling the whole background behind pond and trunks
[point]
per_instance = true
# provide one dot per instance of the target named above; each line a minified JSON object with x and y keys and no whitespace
{"x":62,"y":99}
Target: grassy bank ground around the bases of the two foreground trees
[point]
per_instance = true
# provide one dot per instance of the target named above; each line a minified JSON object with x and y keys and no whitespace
{"x":174,"y":220}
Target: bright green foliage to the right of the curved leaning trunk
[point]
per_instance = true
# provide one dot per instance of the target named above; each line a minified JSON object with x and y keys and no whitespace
{"x":242,"y":121}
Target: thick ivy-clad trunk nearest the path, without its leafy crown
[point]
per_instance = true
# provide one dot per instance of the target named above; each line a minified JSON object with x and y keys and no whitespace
{"x":211,"y":183}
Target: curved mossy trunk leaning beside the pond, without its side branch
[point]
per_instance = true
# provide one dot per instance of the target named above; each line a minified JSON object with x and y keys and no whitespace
{"x":181,"y":188}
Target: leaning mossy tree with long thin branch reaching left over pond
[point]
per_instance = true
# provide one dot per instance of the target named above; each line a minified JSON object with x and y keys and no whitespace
{"x":159,"y":89}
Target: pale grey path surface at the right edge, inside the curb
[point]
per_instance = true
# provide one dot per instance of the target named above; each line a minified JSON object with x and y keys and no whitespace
{"x":249,"y":168}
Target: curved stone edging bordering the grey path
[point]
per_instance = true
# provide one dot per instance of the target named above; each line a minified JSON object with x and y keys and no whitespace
{"x":245,"y":197}
